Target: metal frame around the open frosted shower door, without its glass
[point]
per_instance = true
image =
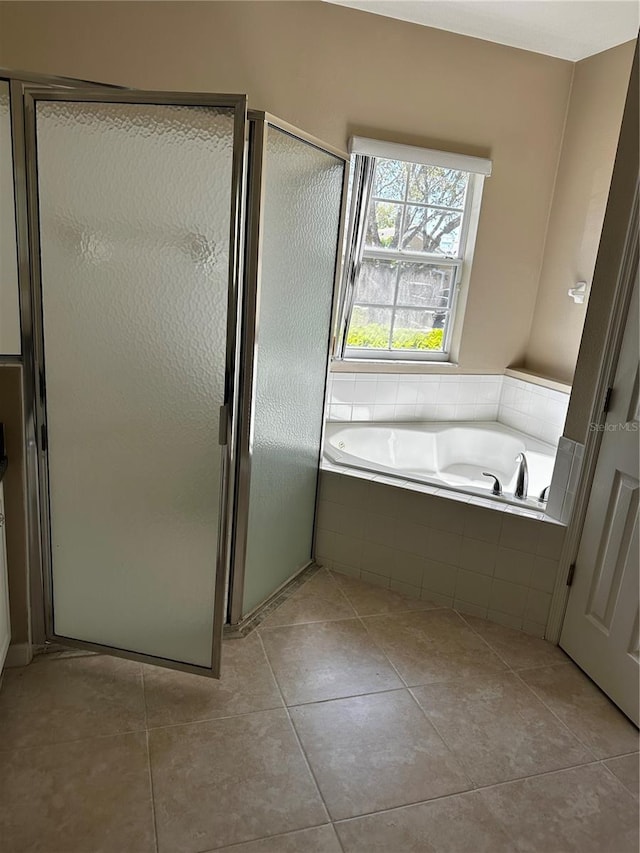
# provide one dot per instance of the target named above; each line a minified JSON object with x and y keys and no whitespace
{"x":35,"y":339}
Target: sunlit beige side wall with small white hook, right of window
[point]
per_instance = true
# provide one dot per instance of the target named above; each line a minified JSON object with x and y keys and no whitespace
{"x":579,"y":202}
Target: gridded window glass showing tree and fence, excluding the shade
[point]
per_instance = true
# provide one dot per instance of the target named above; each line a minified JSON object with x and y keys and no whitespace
{"x":415,"y":214}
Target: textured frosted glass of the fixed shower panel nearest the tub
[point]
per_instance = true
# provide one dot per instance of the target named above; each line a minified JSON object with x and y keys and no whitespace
{"x":300,"y":220}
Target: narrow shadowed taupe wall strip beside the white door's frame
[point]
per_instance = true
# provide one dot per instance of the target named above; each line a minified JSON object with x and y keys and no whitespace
{"x":608,"y":265}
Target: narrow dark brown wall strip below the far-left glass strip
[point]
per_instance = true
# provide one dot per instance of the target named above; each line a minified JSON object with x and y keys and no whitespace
{"x":14,"y":495}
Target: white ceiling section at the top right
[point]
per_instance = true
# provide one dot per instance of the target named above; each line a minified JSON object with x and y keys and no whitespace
{"x":568,"y":29}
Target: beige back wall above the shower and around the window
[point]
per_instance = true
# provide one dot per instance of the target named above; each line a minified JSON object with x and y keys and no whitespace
{"x":334,"y":72}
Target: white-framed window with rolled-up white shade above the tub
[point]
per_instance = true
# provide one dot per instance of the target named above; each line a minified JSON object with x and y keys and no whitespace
{"x":412,"y":222}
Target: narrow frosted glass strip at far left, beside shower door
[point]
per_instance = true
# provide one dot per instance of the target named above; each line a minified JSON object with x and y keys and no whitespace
{"x":9,"y":299}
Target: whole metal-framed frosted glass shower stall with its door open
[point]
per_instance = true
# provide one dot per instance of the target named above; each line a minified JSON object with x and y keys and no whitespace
{"x":177,"y":257}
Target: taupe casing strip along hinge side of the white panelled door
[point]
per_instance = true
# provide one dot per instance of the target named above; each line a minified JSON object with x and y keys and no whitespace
{"x":625,"y":279}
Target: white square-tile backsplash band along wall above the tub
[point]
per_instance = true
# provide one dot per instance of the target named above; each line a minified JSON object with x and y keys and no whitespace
{"x":525,"y":406}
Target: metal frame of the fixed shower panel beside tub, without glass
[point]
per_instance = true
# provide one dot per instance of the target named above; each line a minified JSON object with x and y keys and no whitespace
{"x":258,"y":123}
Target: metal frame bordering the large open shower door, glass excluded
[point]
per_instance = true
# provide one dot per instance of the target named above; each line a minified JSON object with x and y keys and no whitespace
{"x":40,"y":558}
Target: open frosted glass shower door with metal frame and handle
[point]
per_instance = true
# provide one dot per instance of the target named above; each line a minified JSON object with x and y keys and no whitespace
{"x":137,"y":208}
